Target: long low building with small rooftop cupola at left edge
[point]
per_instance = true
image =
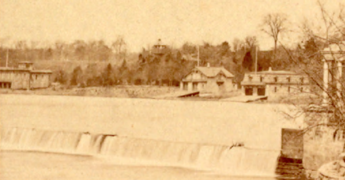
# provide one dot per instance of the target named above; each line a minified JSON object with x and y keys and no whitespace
{"x":24,"y":77}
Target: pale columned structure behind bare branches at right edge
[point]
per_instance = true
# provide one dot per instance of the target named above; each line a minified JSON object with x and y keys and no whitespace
{"x":334,"y":56}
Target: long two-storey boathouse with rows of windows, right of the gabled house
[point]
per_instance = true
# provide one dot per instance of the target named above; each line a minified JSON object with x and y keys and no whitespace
{"x":264,"y":83}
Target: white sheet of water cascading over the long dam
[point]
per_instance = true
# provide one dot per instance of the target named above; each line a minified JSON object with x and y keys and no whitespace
{"x":233,"y":160}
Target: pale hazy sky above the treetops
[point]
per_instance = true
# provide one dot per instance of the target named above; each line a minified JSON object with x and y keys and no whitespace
{"x":142,"y":22}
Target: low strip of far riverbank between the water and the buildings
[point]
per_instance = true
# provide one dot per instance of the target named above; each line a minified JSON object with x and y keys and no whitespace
{"x":158,"y":92}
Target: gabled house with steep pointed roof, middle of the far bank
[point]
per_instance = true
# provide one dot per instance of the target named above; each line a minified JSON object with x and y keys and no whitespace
{"x":215,"y":80}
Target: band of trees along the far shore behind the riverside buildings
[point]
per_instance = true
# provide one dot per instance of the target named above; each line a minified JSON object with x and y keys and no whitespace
{"x":238,"y":57}
